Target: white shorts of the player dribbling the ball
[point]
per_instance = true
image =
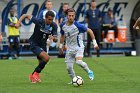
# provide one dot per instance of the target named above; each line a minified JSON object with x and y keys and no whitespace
{"x":71,"y":54}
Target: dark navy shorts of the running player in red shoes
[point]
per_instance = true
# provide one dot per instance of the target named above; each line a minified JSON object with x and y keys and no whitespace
{"x":36,"y":49}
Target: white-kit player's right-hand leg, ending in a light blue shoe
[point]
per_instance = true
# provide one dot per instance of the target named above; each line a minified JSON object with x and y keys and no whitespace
{"x":81,"y":63}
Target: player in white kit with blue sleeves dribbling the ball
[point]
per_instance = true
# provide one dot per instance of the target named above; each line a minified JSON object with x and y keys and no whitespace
{"x":72,"y":31}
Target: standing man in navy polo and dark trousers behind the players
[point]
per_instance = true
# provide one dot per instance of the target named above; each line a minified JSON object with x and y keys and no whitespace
{"x":93,"y":17}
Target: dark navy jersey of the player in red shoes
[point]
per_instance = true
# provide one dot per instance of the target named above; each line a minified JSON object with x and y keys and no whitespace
{"x":42,"y":31}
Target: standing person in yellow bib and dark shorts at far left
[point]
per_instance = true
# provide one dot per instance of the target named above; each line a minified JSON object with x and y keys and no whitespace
{"x":13,"y":37}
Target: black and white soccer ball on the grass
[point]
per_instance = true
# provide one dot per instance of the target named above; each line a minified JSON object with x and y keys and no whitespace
{"x":77,"y":81}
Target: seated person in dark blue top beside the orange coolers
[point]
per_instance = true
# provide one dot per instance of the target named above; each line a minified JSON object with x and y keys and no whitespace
{"x":109,"y":23}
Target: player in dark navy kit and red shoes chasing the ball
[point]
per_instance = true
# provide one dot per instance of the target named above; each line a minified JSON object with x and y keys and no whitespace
{"x":44,"y":29}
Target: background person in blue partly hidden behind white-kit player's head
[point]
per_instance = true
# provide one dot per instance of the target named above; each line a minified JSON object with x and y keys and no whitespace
{"x":62,"y":17}
